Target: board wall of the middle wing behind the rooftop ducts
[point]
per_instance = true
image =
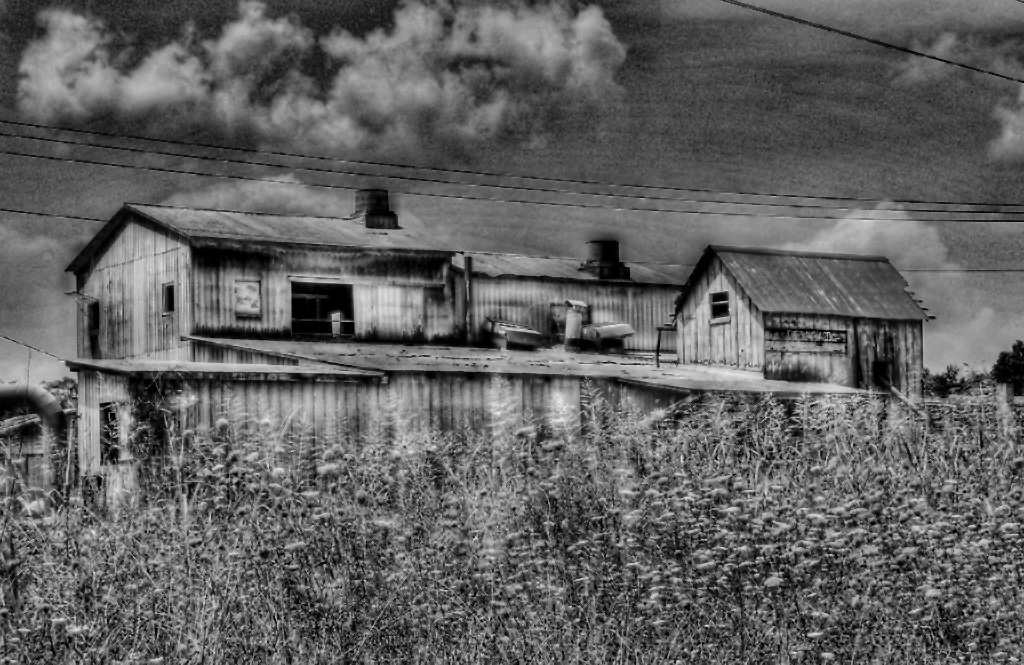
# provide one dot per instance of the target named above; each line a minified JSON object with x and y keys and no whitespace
{"x":529,"y":302}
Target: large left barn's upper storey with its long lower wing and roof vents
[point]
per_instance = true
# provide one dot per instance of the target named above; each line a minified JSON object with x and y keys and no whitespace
{"x":156,"y":274}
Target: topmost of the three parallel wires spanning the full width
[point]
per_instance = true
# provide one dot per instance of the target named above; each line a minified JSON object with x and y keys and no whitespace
{"x":589,"y":183}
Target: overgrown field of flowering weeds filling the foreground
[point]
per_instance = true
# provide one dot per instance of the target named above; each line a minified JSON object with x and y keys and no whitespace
{"x":736,"y":532}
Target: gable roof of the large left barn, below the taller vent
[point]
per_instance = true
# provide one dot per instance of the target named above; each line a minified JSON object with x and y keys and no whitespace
{"x":217,"y":228}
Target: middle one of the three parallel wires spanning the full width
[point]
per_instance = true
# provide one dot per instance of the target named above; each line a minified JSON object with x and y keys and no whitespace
{"x":225,"y":160}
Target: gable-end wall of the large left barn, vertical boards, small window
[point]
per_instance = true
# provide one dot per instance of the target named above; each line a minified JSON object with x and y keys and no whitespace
{"x":129,"y":279}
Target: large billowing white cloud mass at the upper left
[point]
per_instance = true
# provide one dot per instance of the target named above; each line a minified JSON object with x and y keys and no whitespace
{"x":448,"y":77}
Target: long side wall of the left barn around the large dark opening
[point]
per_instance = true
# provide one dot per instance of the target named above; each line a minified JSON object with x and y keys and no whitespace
{"x":397,"y":298}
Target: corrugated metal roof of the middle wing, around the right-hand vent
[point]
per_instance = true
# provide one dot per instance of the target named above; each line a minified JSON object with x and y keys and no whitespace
{"x":567,"y":269}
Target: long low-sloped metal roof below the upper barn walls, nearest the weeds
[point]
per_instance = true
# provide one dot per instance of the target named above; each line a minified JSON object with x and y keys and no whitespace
{"x":394,"y":359}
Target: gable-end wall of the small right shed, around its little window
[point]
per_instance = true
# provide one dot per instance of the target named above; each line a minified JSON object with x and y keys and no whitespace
{"x":738,"y":341}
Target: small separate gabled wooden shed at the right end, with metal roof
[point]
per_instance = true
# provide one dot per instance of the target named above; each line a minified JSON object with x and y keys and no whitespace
{"x":803,"y":317}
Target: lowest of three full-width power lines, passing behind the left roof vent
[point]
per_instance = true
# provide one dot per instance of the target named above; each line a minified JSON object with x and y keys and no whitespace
{"x":560,"y":204}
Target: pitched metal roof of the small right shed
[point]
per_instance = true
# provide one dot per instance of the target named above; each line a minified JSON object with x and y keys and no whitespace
{"x":838,"y":285}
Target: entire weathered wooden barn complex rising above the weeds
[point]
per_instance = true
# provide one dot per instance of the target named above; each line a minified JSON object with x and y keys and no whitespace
{"x":329,"y":326}
